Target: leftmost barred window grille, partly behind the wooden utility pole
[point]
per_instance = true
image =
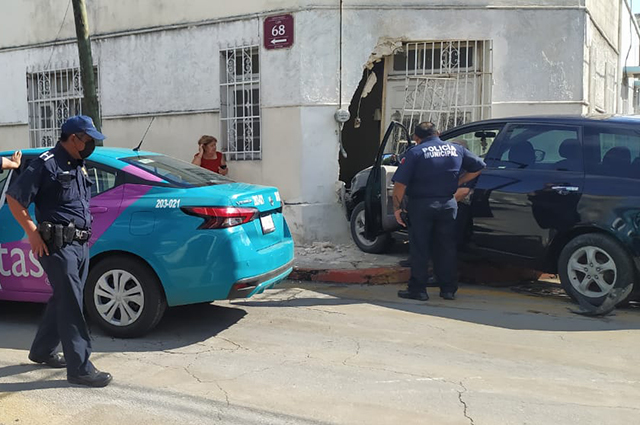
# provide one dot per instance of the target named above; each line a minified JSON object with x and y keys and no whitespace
{"x":53,"y":95}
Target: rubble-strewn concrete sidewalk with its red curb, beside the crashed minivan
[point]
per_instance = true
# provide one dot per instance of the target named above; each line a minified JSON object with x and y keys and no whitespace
{"x":326,"y":262}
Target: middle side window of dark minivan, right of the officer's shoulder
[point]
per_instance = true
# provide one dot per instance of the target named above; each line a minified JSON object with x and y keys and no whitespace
{"x":540,"y":146}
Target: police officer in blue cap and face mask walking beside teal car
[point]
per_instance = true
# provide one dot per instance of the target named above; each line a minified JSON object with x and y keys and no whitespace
{"x":58,"y":184}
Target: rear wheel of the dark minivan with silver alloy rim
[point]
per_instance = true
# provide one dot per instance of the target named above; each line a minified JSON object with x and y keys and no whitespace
{"x":592,"y":265}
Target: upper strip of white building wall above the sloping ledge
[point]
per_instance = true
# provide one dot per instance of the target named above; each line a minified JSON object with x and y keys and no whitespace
{"x":27,"y":22}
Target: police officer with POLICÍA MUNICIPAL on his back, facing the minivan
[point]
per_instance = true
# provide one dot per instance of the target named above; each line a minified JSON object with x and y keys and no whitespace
{"x":430,"y":174}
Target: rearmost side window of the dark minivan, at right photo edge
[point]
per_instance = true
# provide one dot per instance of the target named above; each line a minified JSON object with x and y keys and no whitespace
{"x":613,"y":152}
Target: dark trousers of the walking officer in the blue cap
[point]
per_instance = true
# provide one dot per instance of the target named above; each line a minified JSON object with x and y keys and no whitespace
{"x":63,"y":320}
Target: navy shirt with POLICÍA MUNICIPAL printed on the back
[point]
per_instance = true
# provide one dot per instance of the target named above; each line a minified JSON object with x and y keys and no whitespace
{"x":432,"y":168}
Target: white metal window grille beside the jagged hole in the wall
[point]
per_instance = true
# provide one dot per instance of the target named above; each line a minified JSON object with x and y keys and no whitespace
{"x":446,"y":82}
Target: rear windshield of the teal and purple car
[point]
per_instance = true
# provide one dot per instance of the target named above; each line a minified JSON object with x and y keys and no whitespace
{"x":177,"y":172}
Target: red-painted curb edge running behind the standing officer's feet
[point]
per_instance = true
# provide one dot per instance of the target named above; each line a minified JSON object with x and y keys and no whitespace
{"x":468,"y":273}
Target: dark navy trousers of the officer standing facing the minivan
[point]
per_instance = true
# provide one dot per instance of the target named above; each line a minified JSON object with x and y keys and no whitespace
{"x":432,"y":235}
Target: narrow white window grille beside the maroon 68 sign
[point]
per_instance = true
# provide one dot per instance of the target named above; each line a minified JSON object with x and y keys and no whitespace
{"x":240,"y":103}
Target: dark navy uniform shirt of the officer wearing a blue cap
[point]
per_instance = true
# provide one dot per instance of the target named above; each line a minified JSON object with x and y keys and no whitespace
{"x":59,"y":187}
